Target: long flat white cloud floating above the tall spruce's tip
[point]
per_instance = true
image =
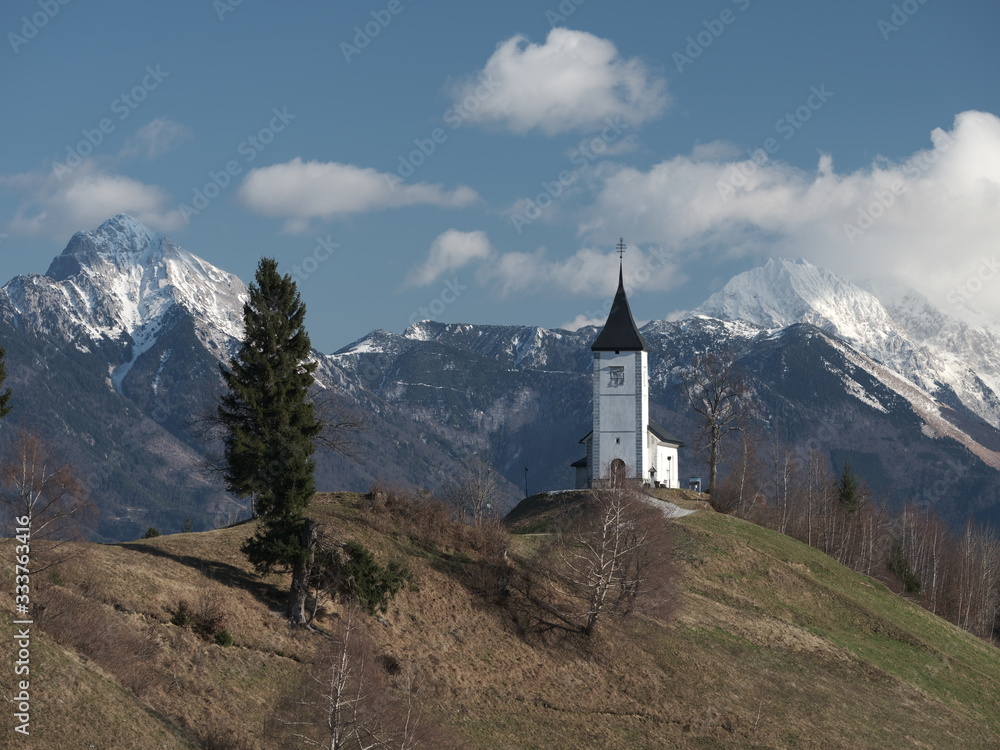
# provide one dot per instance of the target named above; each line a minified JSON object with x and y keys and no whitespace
{"x":299,"y":191}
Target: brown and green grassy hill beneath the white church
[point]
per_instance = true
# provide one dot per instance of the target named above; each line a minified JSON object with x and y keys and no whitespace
{"x":772,"y":645}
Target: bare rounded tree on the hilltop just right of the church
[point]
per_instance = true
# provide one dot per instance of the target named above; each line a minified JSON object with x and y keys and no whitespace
{"x":716,"y":390}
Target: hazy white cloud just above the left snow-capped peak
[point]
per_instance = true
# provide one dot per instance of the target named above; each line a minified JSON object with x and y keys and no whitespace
{"x":85,"y":197}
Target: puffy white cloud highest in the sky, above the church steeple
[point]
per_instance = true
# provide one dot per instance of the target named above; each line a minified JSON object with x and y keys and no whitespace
{"x":574,"y":81}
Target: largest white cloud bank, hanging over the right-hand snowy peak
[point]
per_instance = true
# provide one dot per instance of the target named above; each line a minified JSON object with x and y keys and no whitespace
{"x":928,"y":220}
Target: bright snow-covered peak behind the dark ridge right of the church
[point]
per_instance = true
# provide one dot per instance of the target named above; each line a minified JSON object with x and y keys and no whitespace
{"x":956,"y":362}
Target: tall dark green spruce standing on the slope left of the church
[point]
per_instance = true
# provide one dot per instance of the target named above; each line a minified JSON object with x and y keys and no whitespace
{"x":270,"y":429}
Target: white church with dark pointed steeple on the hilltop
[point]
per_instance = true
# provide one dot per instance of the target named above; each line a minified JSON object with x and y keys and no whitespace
{"x":624,"y":437}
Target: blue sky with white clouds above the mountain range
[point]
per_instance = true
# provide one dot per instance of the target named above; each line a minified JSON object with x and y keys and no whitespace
{"x":475,"y":162}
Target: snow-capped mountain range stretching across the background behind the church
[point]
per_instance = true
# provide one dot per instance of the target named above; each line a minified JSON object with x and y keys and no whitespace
{"x":115,"y":348}
